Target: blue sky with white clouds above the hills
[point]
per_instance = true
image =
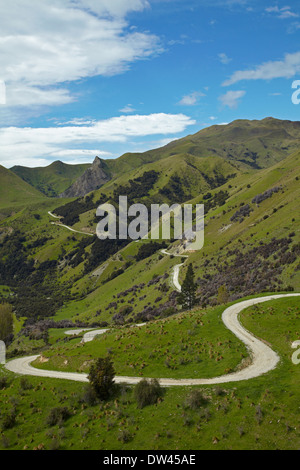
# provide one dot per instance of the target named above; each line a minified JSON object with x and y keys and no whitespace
{"x":86,"y":78}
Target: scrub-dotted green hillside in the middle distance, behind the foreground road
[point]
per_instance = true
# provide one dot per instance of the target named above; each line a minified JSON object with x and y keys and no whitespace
{"x":250,"y":247}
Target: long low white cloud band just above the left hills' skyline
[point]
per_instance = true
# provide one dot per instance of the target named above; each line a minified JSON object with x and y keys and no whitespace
{"x":30,"y":146}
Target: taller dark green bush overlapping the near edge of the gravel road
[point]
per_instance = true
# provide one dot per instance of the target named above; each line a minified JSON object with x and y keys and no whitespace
{"x":101,"y":377}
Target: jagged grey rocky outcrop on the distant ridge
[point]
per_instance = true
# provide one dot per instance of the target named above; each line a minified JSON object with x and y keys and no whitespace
{"x":93,"y":178}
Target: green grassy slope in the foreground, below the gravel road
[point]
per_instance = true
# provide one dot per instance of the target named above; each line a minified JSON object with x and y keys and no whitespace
{"x":262,"y":413}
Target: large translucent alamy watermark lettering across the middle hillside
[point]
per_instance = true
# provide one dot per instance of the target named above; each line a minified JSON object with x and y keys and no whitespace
{"x":137,"y":222}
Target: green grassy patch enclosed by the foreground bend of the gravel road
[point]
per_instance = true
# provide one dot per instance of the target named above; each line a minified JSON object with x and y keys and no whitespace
{"x":188,"y":345}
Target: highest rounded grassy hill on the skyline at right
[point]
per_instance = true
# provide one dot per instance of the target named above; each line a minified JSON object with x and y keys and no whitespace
{"x":250,"y":144}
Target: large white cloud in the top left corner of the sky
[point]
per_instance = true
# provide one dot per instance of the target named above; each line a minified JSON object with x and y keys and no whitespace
{"x":66,"y":40}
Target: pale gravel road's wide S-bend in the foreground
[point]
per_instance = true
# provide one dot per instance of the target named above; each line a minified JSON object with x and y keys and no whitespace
{"x":264,"y":359}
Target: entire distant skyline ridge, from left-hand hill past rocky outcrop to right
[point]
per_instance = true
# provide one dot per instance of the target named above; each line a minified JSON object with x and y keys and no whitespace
{"x":244,"y":144}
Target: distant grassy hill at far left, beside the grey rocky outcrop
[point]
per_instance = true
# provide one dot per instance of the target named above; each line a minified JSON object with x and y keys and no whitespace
{"x":53,"y":179}
